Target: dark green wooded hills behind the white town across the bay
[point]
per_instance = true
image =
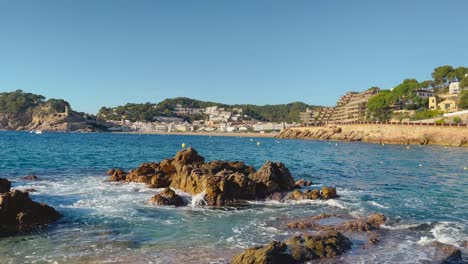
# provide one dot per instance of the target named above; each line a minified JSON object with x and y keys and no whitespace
{"x":148,"y":111}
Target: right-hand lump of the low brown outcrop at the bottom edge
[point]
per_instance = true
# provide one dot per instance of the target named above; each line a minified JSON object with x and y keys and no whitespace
{"x":323,"y":245}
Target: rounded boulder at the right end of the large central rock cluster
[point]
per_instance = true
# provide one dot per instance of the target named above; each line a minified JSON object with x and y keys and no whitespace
{"x":272,"y":177}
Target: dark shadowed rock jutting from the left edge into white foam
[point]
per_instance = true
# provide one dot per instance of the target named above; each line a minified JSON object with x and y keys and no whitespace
{"x":19,"y":213}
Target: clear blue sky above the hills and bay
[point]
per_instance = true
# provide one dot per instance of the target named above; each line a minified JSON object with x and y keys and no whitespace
{"x":110,"y":52}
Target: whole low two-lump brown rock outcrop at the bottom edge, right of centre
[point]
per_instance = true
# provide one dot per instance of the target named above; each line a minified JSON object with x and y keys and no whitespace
{"x":297,"y":249}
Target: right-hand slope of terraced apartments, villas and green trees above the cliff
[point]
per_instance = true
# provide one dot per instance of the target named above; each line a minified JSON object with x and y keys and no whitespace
{"x":444,"y":100}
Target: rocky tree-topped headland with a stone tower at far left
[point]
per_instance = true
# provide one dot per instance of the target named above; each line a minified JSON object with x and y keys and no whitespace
{"x":27,"y":111}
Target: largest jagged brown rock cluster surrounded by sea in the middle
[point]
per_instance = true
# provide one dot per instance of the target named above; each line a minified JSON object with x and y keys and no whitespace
{"x":224,"y":183}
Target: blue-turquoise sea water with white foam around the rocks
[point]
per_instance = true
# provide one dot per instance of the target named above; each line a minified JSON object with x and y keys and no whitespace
{"x":423,"y":191}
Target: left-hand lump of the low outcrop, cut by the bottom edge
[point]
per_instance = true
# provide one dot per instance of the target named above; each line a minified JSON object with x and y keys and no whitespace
{"x":273,"y":253}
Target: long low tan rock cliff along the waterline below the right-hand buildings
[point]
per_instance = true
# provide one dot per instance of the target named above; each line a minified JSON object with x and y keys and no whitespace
{"x":384,"y":133}
